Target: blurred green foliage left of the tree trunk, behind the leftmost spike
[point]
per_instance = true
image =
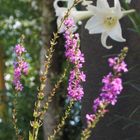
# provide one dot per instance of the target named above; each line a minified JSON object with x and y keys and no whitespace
{"x":20,"y":17}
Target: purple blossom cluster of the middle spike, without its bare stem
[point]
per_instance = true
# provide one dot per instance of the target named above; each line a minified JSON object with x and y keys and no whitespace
{"x":76,"y":57}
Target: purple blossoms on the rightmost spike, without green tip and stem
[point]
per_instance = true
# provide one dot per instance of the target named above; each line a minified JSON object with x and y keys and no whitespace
{"x":112,"y":87}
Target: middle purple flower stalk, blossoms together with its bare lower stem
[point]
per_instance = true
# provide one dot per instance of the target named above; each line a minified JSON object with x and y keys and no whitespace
{"x":76,"y":57}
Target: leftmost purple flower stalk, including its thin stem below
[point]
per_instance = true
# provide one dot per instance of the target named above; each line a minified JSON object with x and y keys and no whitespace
{"x":21,"y":67}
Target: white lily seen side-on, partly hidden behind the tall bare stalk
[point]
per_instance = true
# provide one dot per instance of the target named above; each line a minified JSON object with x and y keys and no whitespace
{"x":76,"y":15}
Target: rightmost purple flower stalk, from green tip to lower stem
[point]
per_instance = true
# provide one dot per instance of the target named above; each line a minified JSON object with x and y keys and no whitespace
{"x":112,"y":87}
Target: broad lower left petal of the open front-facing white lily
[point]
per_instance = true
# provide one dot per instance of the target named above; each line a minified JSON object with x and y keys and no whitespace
{"x":95,"y":25}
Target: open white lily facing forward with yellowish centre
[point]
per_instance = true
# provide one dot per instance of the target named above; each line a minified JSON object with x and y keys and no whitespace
{"x":106,"y":21}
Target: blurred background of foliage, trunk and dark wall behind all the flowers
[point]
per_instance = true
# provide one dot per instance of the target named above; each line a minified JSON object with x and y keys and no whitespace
{"x":36,"y":20}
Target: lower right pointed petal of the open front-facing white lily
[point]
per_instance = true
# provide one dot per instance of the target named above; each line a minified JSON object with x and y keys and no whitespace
{"x":116,"y":33}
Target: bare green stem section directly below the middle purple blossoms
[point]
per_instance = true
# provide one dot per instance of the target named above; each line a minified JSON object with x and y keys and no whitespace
{"x":62,"y":122}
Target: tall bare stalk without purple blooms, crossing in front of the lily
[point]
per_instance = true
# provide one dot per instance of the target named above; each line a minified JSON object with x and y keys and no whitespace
{"x":36,"y":123}
